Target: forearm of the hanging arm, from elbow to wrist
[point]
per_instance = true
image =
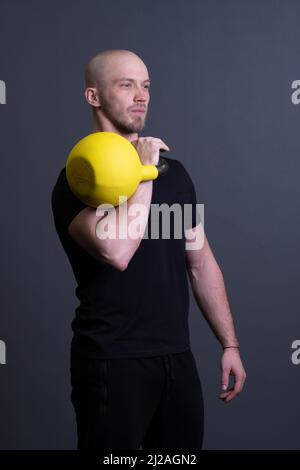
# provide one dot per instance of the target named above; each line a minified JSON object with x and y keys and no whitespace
{"x":209,"y":290}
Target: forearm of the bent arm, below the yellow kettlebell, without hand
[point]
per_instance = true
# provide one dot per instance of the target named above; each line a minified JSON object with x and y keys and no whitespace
{"x":123,"y":239}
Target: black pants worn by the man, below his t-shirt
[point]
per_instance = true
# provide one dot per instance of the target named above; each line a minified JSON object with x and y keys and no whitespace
{"x":150,"y":402}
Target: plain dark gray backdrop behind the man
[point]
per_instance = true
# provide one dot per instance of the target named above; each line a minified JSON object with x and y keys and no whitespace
{"x":221,"y":98}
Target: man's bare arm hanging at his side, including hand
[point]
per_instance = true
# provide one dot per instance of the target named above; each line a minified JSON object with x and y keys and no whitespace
{"x":208,"y":287}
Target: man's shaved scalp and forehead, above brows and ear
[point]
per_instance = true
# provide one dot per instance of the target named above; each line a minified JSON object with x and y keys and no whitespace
{"x":108,"y":65}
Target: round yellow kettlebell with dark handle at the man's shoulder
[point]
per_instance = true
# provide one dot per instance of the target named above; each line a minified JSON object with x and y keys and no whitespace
{"x":103,"y":166}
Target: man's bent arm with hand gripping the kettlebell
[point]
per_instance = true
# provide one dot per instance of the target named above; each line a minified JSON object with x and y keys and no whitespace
{"x":88,"y":226}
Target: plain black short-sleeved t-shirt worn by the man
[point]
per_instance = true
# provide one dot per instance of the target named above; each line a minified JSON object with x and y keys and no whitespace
{"x":142,"y":310}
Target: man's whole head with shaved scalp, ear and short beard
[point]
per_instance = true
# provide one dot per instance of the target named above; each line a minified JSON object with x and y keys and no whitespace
{"x":117,"y":82}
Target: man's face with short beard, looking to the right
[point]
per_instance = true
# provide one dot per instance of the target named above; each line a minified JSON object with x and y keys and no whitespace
{"x":126,"y":91}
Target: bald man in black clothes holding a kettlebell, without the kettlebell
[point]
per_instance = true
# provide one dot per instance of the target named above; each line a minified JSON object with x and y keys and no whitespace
{"x":134,"y":378}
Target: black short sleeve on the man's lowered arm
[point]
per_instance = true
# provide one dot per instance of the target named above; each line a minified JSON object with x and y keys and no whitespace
{"x":192,"y":216}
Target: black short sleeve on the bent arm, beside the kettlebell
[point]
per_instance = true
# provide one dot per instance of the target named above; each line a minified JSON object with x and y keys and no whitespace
{"x":65,"y":205}
